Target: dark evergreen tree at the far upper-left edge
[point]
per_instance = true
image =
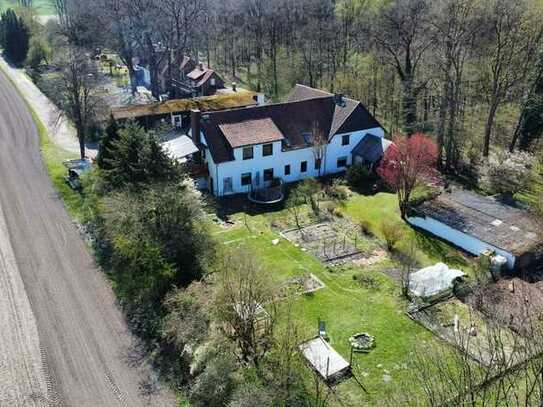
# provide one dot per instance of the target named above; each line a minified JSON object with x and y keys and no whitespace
{"x":14,"y":37}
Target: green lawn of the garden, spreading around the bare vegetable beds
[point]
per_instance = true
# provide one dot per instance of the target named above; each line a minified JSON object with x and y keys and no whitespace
{"x":346,"y":305}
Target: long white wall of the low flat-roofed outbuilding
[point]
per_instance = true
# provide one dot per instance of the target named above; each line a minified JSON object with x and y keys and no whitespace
{"x":468,"y":243}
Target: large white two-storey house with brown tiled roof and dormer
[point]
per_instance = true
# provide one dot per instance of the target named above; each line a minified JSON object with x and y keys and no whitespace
{"x":247,"y":148}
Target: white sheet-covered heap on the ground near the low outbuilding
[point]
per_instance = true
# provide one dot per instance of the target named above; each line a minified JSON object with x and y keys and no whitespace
{"x":434,"y":282}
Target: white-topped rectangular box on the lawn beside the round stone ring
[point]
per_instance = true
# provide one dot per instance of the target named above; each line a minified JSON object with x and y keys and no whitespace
{"x":324,"y":360}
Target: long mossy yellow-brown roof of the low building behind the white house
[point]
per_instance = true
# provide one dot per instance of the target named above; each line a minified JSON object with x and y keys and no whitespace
{"x":221,"y":101}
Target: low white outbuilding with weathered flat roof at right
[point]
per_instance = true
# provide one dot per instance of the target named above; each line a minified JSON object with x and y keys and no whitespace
{"x":477,"y":224}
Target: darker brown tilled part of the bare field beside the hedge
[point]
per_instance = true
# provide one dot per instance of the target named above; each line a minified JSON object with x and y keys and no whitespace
{"x":88,"y":356}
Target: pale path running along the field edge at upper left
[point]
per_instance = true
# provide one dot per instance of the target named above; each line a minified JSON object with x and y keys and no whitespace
{"x":60,"y":130}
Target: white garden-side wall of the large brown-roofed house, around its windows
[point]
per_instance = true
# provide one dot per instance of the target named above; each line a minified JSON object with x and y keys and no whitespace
{"x":280,"y":159}
